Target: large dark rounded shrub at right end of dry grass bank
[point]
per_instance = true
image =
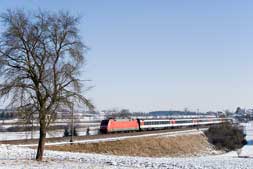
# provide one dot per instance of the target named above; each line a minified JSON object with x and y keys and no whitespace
{"x":226,"y":137}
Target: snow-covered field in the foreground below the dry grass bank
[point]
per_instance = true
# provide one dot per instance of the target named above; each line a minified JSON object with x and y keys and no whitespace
{"x":20,"y":157}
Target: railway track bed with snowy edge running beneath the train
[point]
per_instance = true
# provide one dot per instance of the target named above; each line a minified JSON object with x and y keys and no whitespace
{"x":96,"y":138}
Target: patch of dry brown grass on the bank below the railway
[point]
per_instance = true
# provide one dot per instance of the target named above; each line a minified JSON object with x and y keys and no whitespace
{"x":146,"y":147}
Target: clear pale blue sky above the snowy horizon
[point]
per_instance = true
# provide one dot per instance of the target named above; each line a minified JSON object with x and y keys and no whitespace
{"x":159,"y":55}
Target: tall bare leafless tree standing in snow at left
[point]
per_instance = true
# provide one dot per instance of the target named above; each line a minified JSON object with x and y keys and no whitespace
{"x":41,"y":54}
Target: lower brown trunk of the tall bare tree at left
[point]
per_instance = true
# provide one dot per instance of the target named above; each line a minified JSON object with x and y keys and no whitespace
{"x":42,"y":140}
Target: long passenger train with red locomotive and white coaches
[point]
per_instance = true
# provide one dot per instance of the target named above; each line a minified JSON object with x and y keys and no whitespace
{"x":127,"y":125}
